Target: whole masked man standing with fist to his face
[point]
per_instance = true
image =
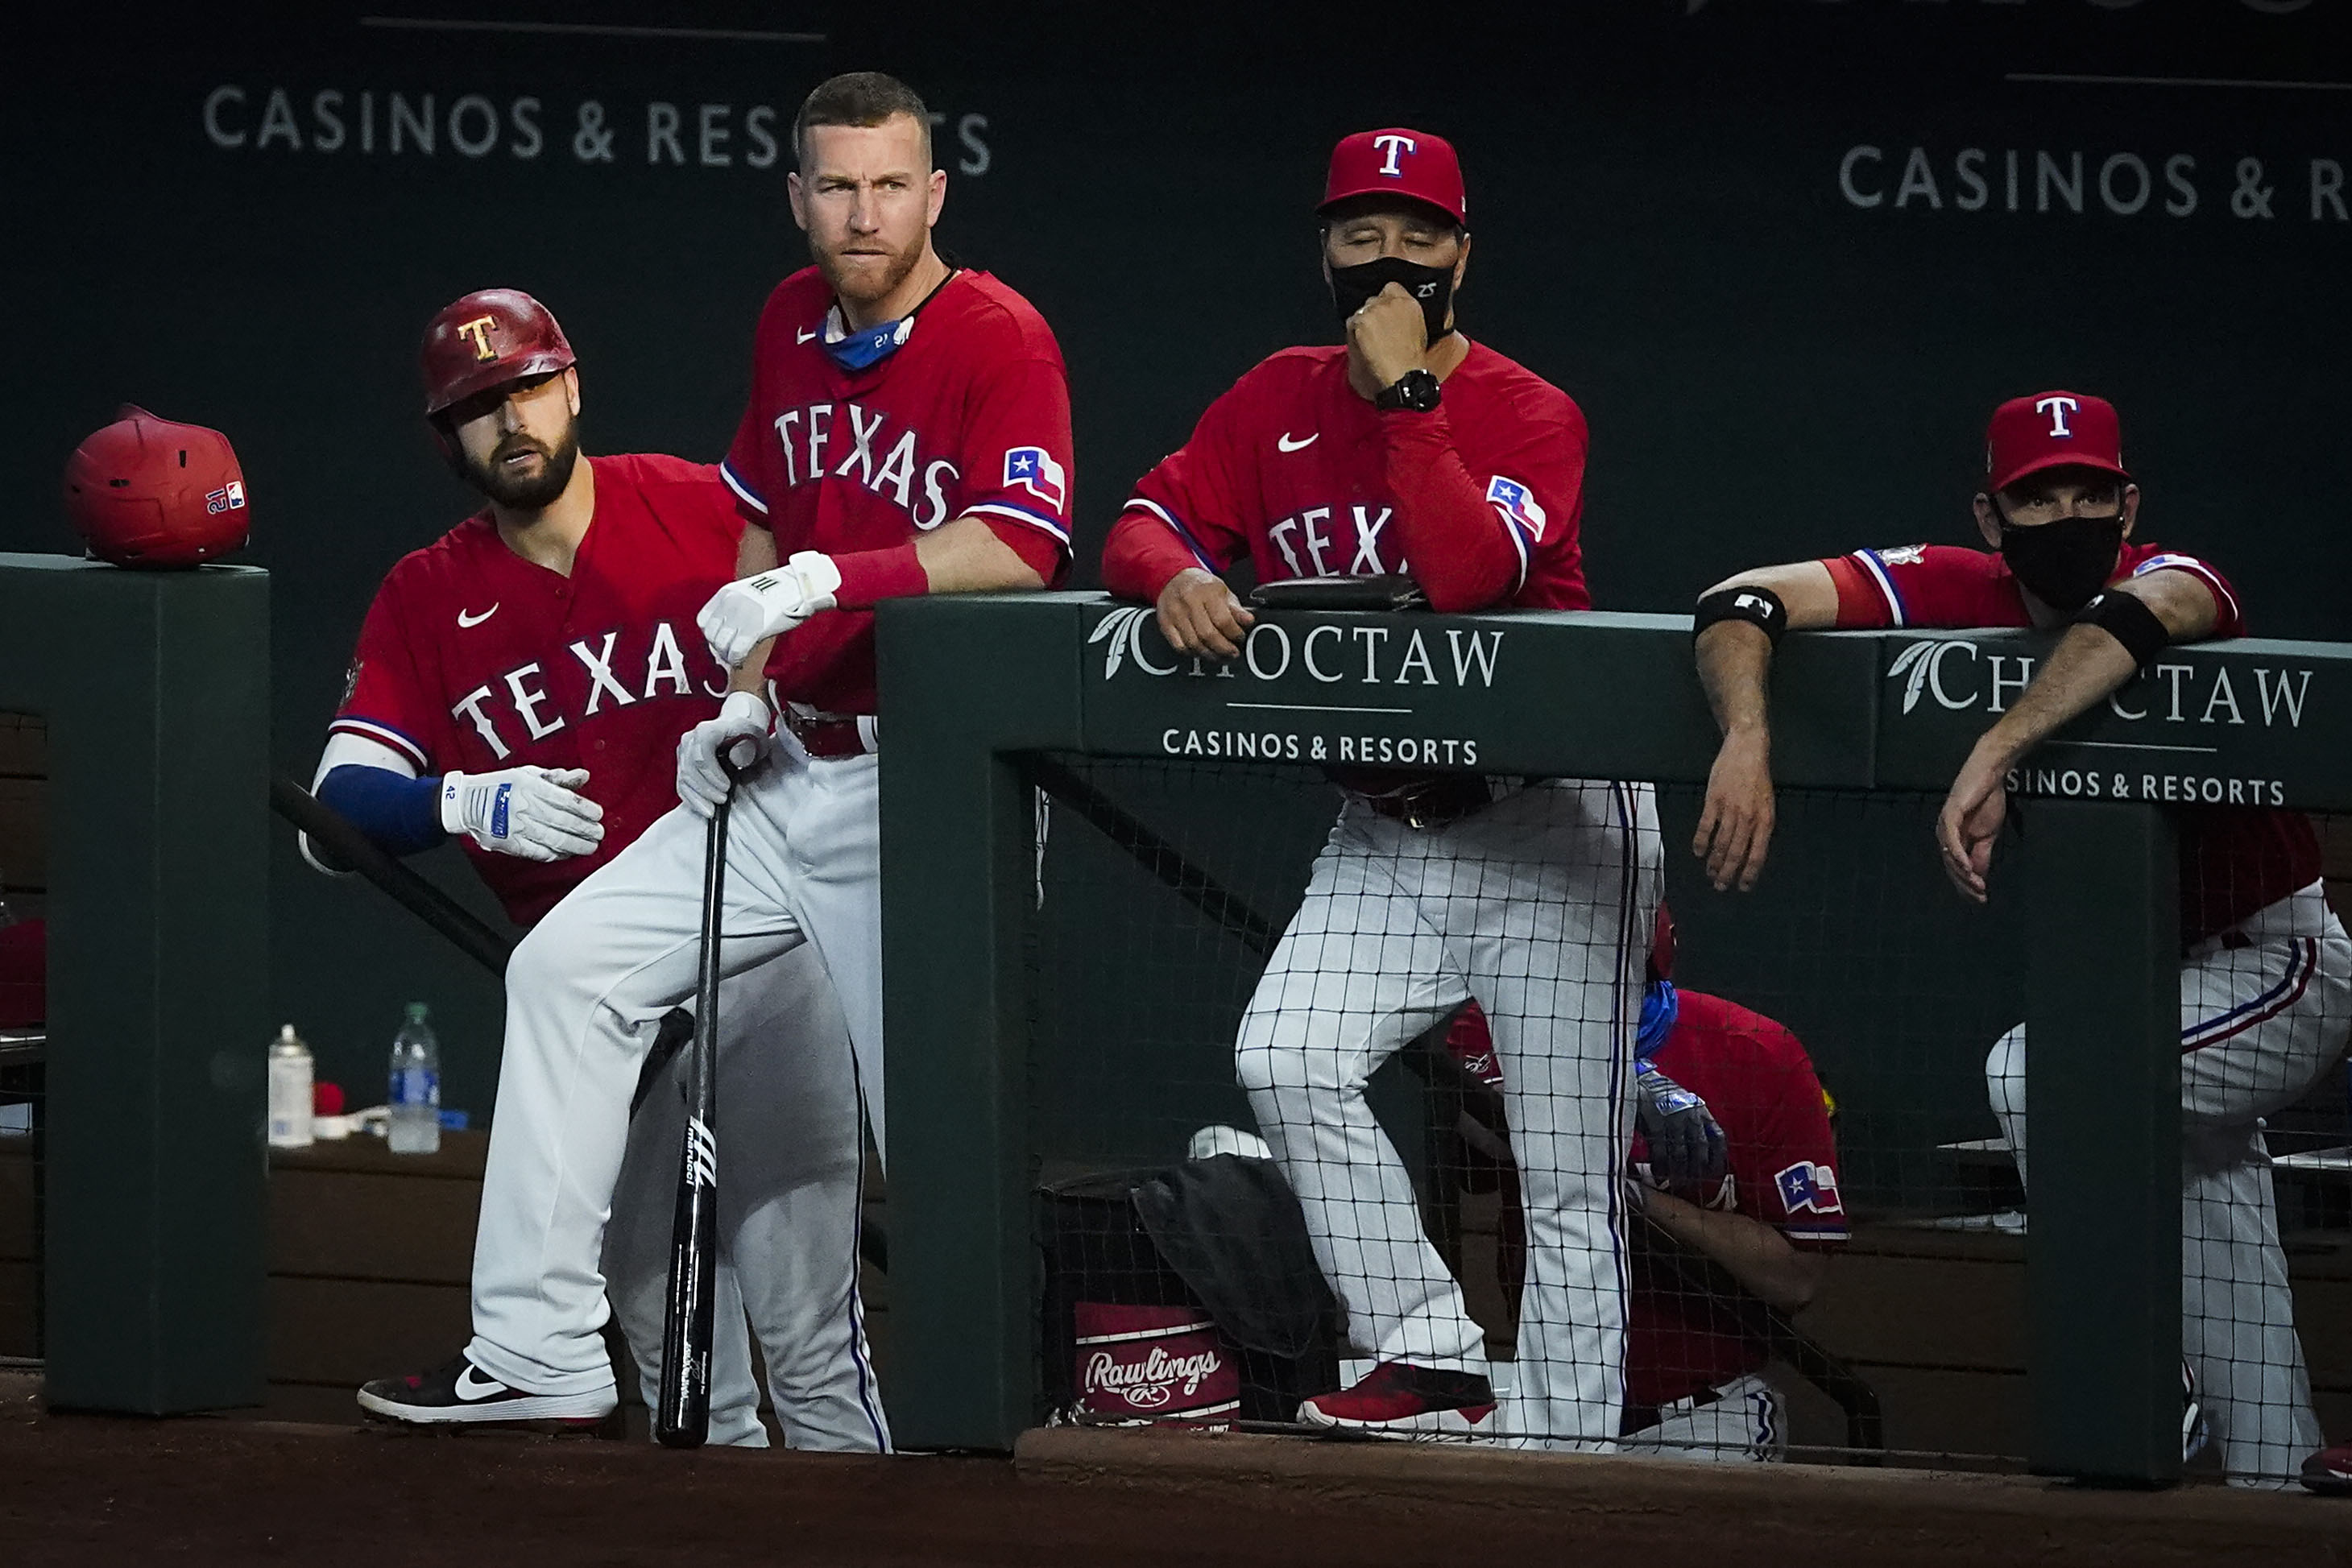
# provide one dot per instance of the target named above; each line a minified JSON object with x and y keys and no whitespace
{"x":1417,"y":450}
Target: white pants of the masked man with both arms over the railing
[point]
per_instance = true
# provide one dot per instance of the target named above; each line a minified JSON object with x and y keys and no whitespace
{"x":2264,"y":1012}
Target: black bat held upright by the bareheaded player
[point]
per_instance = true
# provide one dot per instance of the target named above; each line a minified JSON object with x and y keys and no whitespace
{"x":683,"y":1419}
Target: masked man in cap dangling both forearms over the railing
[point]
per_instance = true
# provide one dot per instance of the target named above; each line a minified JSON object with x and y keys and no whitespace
{"x":2266,"y":972}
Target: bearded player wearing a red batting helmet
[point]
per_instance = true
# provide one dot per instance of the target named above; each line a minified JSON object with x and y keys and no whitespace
{"x":523,"y":683}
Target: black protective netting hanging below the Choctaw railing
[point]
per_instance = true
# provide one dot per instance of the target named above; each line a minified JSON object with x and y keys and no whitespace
{"x":1302,"y":1160}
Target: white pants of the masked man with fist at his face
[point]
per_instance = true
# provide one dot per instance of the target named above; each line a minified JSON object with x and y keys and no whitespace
{"x":1539,"y":906}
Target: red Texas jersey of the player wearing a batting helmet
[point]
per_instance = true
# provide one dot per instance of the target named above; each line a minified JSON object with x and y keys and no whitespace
{"x":476,"y":659}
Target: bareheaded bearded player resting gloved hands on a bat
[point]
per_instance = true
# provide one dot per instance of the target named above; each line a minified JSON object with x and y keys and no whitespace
{"x":909,"y":431}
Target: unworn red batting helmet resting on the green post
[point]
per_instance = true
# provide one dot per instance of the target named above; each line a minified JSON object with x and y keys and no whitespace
{"x":149,"y":492}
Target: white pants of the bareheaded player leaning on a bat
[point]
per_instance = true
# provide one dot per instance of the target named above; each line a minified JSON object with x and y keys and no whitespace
{"x":584,"y":996}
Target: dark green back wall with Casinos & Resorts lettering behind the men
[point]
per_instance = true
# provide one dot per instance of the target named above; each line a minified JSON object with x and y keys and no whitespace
{"x":1770,"y":246}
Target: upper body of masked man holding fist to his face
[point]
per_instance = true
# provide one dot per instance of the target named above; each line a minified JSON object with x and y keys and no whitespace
{"x":1410,"y":450}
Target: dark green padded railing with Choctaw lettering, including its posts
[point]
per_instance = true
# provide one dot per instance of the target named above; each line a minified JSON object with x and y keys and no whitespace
{"x":991,"y":699}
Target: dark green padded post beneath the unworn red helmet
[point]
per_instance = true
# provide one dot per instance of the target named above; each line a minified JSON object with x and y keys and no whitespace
{"x":156,"y":692}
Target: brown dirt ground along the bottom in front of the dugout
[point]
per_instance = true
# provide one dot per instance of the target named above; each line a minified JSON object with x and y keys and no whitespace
{"x":86,"y":1489}
